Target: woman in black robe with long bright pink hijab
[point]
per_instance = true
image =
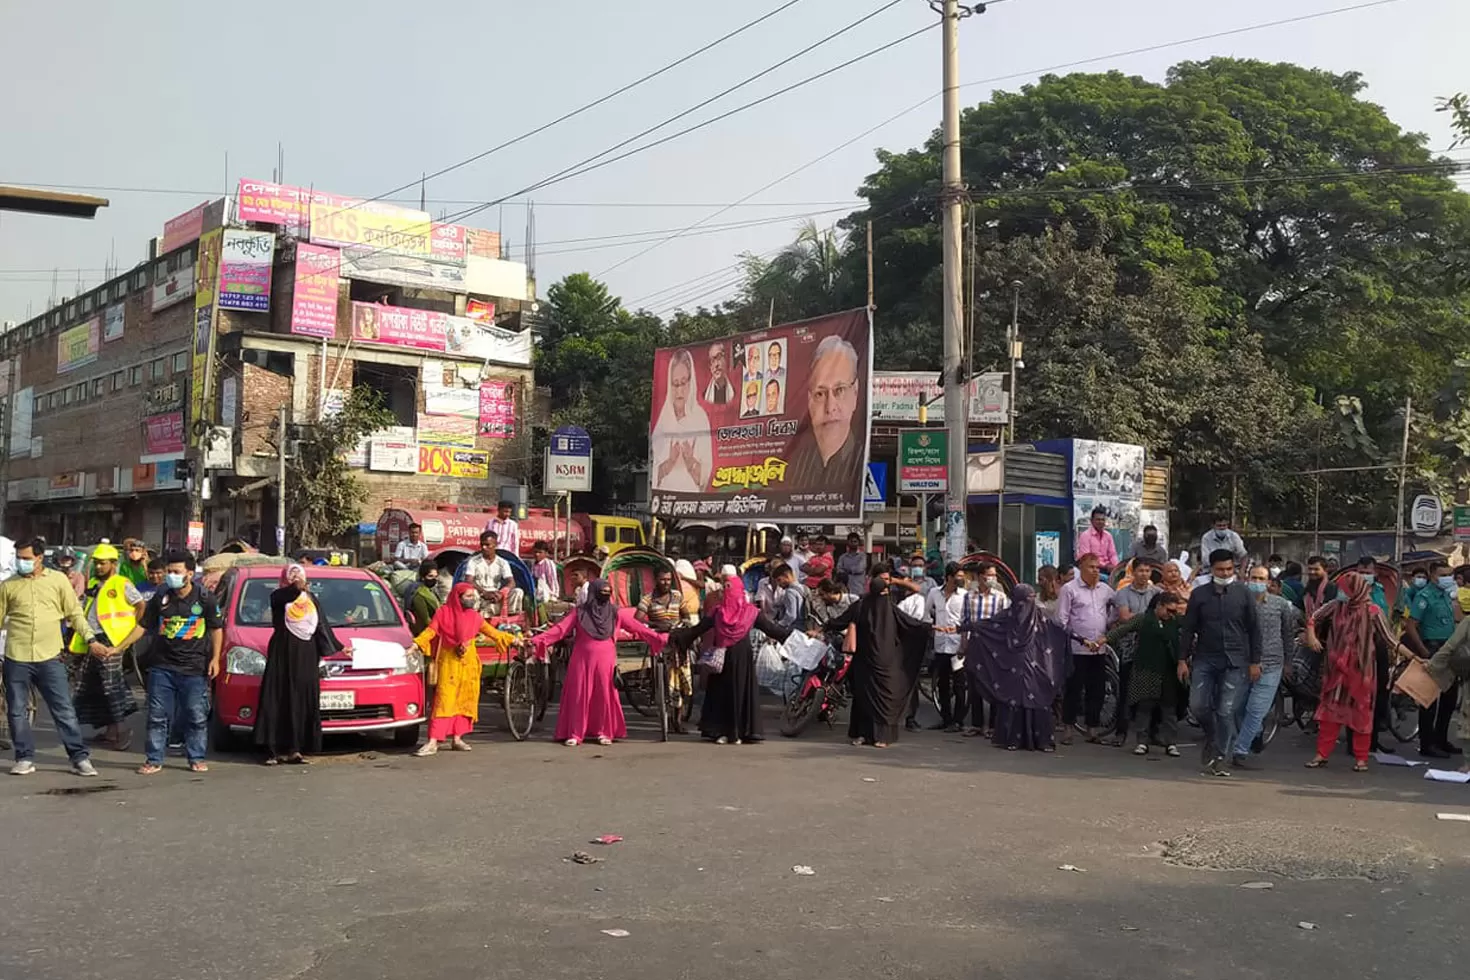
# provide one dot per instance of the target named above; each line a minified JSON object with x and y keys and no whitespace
{"x":733,"y":696}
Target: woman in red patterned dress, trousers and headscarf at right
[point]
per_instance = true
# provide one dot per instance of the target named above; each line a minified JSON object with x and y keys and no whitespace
{"x":1356,"y":631}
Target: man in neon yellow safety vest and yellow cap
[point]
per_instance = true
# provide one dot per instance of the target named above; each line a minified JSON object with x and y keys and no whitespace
{"x":114,"y":608}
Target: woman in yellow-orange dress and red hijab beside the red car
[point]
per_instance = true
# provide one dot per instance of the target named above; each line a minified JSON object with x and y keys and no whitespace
{"x":451,"y":641}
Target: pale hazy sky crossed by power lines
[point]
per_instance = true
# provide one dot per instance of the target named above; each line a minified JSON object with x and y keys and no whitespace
{"x":367,"y":96}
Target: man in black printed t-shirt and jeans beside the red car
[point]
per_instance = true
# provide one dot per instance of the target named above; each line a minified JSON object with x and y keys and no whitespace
{"x":186,"y":631}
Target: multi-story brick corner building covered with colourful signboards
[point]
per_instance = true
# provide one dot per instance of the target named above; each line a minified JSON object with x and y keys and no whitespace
{"x":127,"y":396}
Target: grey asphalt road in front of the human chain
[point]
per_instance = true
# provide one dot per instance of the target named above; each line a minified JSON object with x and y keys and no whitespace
{"x":936,"y":859}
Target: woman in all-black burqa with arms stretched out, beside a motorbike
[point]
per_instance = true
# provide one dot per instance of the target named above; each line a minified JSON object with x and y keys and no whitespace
{"x":886,"y":668}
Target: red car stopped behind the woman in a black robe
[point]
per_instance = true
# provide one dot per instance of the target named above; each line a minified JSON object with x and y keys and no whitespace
{"x":358,"y":606}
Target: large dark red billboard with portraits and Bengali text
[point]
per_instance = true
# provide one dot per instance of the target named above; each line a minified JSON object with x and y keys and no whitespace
{"x":771,"y":425}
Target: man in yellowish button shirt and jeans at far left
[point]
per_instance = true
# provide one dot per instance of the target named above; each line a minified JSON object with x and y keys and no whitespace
{"x":33,"y":606}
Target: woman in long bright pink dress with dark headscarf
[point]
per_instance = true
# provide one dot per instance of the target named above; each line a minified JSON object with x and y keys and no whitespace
{"x":590,"y":707}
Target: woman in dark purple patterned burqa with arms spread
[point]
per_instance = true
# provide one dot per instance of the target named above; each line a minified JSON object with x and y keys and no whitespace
{"x":1019,"y":660}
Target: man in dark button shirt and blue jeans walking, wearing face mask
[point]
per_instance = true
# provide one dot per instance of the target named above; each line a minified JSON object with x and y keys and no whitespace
{"x":1219,"y":650}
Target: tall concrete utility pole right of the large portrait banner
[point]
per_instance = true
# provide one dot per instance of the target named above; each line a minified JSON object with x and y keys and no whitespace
{"x":952,"y":198}
